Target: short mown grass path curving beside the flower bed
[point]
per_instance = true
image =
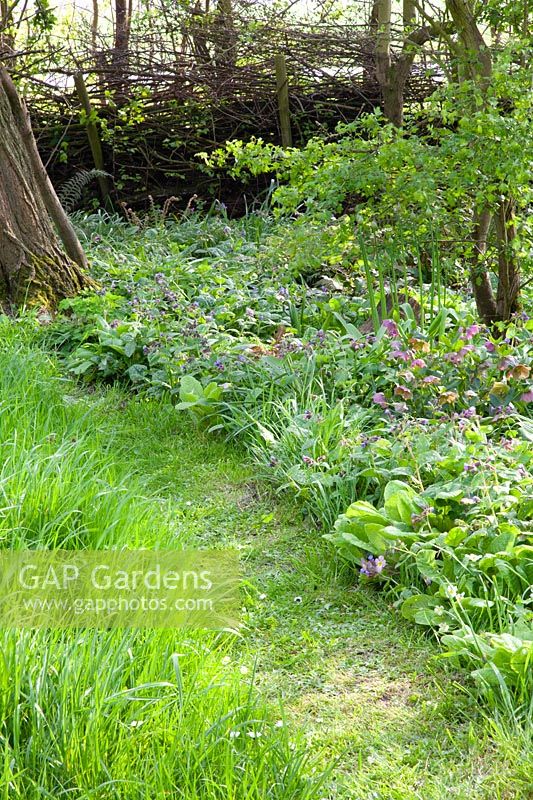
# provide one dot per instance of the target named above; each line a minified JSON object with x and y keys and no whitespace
{"x":366,"y":689}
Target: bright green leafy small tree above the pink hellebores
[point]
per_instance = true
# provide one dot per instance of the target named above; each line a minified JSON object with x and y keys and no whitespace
{"x":424,"y":185}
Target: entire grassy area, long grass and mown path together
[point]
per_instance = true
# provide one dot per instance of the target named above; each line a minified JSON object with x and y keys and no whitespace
{"x":118,"y":715}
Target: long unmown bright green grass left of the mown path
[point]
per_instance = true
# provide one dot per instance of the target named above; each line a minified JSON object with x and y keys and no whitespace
{"x":113,"y":714}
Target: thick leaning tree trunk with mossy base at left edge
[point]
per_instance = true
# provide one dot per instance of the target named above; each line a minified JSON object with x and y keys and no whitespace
{"x":33,"y":267}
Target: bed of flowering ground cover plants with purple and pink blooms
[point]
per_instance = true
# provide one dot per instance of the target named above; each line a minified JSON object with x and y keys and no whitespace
{"x":408,"y":444}
